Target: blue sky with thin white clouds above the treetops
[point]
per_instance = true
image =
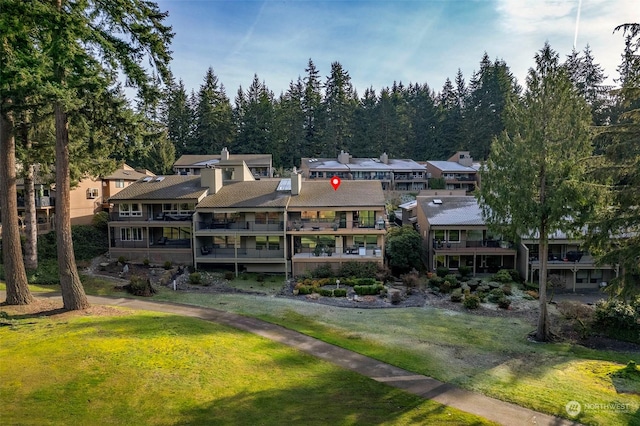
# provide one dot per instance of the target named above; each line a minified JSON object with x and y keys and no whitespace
{"x":379,"y":42}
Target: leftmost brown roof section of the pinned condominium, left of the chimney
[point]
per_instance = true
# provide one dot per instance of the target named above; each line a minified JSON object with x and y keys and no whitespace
{"x":172,"y":187}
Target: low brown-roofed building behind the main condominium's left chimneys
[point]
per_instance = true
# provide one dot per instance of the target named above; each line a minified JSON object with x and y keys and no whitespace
{"x":260,"y":165}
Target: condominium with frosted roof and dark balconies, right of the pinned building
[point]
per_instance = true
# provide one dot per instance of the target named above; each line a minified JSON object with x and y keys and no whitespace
{"x":455,"y":234}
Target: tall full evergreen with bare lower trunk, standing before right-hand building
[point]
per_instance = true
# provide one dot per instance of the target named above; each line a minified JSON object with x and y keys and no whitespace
{"x":536,"y":180}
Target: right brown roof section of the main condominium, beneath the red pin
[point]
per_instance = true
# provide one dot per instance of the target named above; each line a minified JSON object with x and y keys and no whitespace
{"x":351,"y":193}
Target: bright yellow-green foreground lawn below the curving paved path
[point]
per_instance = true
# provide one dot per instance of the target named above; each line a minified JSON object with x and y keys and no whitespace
{"x":158,"y":369}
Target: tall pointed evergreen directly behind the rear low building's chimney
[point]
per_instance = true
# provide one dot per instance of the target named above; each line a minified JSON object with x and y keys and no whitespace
{"x":213,"y":118}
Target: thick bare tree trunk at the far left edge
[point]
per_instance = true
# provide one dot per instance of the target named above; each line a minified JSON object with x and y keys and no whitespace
{"x":18,"y":292}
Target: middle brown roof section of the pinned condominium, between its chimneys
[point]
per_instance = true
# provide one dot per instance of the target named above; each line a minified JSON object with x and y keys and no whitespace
{"x":251,"y":194}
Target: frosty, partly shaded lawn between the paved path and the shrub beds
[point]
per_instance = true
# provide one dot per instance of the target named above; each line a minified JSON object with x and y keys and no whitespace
{"x":488,"y":355}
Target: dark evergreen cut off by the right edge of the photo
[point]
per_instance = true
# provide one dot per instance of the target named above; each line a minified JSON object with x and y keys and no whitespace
{"x":615,"y":234}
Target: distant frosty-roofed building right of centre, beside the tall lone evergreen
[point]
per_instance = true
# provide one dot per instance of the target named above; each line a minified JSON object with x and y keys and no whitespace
{"x":458,"y":172}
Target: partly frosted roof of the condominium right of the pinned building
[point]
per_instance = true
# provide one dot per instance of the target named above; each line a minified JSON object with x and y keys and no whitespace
{"x":452,"y":210}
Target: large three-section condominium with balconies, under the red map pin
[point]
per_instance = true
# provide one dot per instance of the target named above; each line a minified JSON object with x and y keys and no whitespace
{"x":268,"y":225}
